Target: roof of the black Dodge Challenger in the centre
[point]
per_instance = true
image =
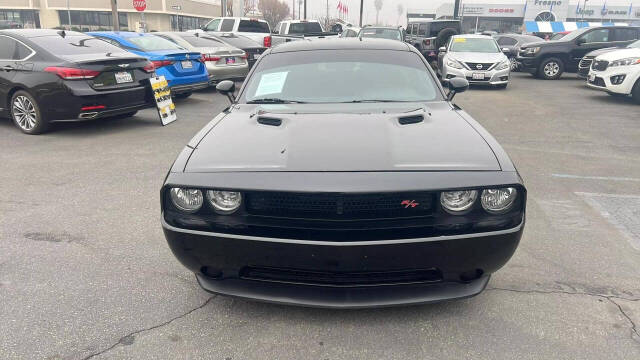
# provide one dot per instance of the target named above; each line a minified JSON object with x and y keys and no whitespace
{"x":342,"y":44}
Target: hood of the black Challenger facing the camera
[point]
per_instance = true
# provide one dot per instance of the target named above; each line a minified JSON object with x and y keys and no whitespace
{"x":336,"y":137}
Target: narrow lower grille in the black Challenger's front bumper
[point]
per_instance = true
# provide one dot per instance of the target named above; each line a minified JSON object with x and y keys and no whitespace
{"x":341,"y":279}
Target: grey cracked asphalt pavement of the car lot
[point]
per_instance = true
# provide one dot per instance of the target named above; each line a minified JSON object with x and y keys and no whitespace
{"x":85,"y":271}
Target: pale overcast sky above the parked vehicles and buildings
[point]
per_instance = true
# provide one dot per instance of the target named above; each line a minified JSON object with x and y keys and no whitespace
{"x":389,"y":12}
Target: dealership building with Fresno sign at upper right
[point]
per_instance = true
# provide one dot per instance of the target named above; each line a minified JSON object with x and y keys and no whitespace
{"x":512,"y":16}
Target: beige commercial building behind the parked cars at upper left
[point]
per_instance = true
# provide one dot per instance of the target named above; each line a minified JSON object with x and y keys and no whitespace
{"x":160,"y":15}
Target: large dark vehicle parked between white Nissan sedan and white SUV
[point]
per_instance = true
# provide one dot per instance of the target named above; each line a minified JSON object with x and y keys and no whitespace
{"x":549,"y":59}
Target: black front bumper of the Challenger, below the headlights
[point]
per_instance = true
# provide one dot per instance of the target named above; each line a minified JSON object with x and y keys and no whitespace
{"x":463,"y":262}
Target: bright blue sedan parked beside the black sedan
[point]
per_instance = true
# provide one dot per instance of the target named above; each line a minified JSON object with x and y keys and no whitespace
{"x":184,"y":70}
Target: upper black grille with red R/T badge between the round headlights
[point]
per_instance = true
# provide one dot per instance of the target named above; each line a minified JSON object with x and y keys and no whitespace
{"x":339,"y":206}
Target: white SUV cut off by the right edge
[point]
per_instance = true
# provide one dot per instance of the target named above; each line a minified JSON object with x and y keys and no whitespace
{"x":617,"y":72}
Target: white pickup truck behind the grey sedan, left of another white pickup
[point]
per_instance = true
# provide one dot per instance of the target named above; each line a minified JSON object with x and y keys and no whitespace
{"x":257,"y":30}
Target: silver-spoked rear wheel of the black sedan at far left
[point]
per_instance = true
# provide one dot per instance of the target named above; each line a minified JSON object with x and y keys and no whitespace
{"x":26,"y":114}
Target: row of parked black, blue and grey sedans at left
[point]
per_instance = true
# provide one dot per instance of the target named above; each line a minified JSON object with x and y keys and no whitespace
{"x":55,"y":75}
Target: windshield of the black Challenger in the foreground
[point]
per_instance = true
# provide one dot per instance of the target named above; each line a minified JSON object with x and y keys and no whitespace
{"x":329,"y":76}
